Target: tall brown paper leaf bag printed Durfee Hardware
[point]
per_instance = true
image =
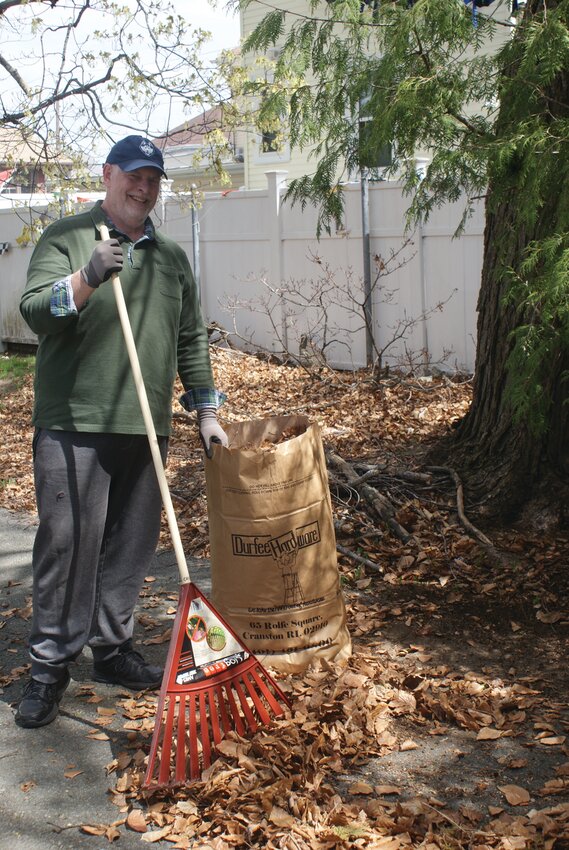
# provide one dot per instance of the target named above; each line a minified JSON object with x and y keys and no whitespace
{"x":273,"y":550}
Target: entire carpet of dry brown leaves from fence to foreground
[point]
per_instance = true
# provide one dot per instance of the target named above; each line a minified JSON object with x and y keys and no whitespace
{"x":447,"y":726}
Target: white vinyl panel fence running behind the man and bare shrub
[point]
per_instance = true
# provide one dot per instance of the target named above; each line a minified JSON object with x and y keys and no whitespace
{"x":265,"y":278}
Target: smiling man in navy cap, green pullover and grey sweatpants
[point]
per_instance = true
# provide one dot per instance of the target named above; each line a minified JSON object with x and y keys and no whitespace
{"x":96,"y":488}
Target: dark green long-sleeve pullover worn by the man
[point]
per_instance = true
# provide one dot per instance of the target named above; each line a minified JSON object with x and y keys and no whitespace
{"x":83,"y":377}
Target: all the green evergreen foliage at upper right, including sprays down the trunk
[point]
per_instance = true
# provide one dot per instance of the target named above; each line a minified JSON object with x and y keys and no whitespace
{"x":489,"y":104}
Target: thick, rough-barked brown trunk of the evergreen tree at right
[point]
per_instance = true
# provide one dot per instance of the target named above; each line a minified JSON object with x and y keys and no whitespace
{"x":504,"y":465}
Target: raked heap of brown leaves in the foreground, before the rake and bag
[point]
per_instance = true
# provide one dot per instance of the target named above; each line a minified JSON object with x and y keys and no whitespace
{"x":277,"y":783}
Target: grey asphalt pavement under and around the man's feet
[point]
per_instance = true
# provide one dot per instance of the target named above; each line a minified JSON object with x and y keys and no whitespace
{"x":54,"y":779}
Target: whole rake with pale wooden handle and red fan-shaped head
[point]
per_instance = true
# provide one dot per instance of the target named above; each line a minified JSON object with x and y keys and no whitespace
{"x":212,"y":683}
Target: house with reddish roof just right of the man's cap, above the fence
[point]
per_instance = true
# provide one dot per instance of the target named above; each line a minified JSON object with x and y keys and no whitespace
{"x":189,"y":148}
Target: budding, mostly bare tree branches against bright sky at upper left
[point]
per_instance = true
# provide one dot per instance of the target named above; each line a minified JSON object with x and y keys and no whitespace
{"x":92,"y":69}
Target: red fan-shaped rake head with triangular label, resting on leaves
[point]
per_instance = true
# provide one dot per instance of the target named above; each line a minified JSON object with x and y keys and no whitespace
{"x":199,"y":704}
